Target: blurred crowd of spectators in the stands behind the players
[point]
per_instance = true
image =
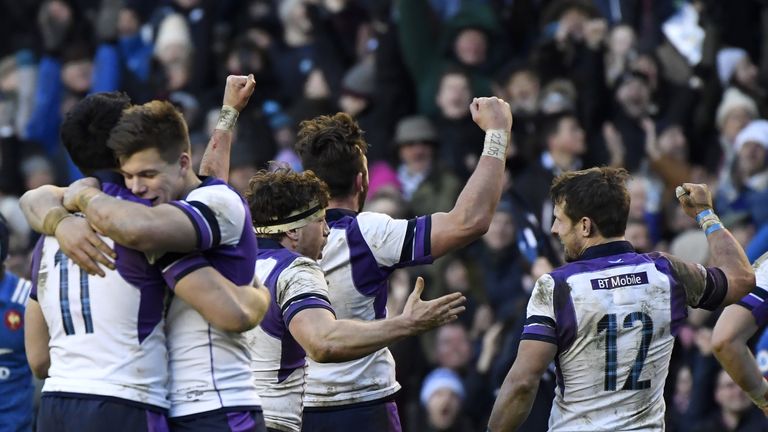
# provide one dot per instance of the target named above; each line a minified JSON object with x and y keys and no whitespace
{"x":675,"y":91}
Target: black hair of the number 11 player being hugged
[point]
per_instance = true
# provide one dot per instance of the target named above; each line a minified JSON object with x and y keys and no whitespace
{"x":86,"y":128}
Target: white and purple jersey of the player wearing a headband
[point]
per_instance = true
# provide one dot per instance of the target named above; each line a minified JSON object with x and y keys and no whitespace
{"x":295,"y":283}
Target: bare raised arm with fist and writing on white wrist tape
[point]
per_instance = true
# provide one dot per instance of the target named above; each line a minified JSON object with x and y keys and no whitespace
{"x":471,"y":216}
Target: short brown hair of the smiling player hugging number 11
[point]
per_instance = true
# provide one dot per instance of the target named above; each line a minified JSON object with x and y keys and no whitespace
{"x":155,"y":124}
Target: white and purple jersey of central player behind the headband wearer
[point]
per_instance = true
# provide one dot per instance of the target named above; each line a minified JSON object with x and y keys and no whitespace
{"x":361,"y":252}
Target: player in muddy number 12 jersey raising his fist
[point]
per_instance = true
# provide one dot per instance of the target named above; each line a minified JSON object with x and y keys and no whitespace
{"x":608,"y":318}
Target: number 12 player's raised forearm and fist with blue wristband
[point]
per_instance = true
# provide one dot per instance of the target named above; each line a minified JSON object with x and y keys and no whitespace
{"x":724,"y":250}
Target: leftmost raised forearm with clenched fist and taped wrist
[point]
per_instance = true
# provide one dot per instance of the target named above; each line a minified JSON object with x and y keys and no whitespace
{"x":215,"y":160}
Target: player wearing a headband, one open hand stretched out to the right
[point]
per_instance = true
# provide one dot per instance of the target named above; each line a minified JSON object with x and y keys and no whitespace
{"x":288,"y":212}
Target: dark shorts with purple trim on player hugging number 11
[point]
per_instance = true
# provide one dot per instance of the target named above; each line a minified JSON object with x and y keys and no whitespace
{"x":220,"y":421}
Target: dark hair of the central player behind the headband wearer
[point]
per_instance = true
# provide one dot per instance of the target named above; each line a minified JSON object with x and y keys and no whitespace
{"x":333,"y":148}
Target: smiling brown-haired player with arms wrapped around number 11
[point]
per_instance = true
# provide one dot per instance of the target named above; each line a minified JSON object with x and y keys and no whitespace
{"x":210,"y":382}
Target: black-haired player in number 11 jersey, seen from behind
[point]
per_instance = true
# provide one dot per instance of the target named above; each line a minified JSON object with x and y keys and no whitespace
{"x":108,"y":367}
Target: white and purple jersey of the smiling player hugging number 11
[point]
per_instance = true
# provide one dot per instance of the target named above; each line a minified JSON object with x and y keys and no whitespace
{"x":210,"y":368}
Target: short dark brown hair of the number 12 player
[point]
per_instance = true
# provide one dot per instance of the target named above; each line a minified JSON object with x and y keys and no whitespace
{"x":597,"y":193}
